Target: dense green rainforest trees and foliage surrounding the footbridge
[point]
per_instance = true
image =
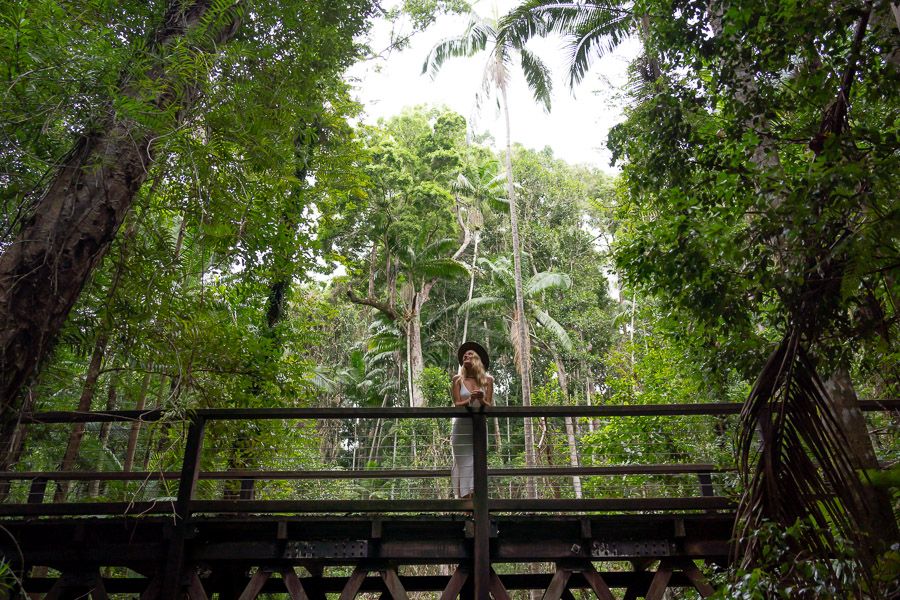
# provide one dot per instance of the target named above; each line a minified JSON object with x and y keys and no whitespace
{"x":272,"y":251}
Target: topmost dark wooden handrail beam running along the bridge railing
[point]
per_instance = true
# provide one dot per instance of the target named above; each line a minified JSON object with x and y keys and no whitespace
{"x":231,"y":414}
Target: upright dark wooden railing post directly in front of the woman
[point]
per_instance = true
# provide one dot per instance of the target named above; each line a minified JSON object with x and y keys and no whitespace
{"x":482,"y":554}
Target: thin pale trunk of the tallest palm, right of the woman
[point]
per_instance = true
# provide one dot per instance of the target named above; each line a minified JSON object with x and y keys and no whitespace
{"x":525,"y":361}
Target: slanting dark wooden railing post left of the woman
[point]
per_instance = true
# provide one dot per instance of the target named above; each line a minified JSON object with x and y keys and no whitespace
{"x":190,"y":471}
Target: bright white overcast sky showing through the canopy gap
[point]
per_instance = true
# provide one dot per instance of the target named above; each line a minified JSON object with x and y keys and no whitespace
{"x":576,"y":128}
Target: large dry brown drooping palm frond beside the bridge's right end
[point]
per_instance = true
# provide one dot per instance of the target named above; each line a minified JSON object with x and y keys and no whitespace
{"x":804,"y":469}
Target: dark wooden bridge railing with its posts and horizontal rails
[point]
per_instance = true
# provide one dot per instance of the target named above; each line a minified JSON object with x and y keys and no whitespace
{"x":186,"y":504}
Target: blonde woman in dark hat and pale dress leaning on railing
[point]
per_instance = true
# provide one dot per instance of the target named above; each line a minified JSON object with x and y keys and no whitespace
{"x":472,"y":387}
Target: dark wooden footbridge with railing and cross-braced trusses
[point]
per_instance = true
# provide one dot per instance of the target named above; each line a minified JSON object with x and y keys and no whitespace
{"x":246,"y":541}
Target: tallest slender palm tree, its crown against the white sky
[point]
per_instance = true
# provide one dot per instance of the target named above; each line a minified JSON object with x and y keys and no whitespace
{"x":484,"y":35}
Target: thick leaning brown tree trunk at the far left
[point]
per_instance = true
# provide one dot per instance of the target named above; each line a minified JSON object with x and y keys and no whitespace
{"x":71,"y":227}
